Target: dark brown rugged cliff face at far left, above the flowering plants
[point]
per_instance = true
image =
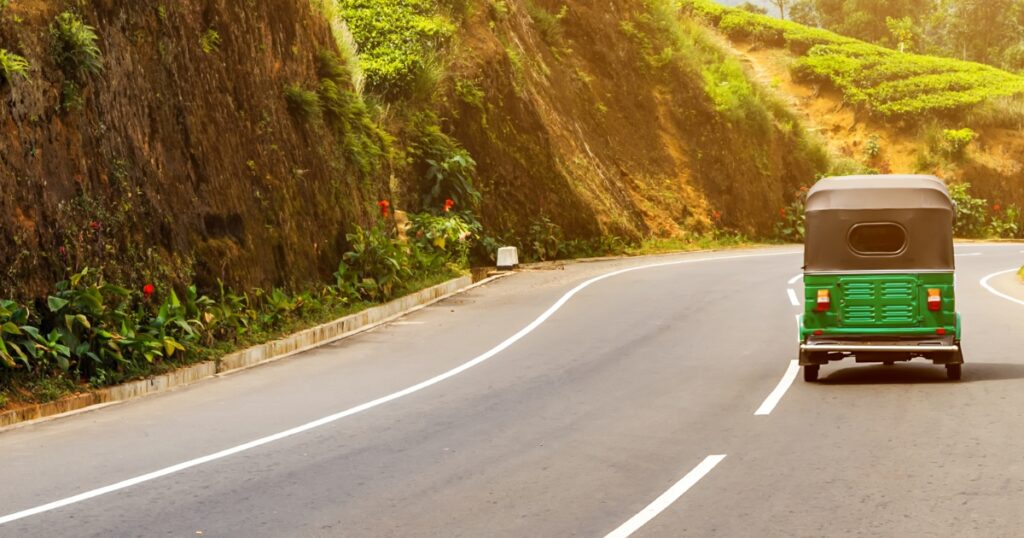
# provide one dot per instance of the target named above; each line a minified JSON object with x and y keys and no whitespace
{"x":181,"y":157}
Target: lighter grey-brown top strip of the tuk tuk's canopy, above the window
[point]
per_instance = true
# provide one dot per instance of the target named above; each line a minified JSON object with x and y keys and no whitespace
{"x":880,"y":192}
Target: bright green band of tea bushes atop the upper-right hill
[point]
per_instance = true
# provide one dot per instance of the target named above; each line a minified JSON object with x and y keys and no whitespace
{"x":887,"y":84}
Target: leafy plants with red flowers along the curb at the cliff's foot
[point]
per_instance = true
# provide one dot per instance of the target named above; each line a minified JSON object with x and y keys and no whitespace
{"x":92,"y":330}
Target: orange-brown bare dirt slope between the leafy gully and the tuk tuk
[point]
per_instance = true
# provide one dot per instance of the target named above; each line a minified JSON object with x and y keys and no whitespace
{"x":580,"y":129}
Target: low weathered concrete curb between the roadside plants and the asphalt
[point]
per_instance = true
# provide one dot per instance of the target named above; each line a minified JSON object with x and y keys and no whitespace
{"x":255,"y":356}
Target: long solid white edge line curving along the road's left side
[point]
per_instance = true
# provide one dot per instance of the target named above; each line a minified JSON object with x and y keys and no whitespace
{"x":364,"y":407}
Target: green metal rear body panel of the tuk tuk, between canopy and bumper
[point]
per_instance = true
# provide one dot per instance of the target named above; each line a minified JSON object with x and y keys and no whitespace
{"x":892,"y":305}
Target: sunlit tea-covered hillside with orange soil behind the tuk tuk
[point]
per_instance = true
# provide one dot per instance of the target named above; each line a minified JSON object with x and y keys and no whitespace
{"x":894,"y":112}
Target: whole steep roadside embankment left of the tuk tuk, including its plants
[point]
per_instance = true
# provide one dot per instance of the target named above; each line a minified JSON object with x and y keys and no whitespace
{"x":182,"y":180}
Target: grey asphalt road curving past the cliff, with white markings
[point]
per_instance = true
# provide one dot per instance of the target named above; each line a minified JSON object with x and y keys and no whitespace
{"x":552,"y":404}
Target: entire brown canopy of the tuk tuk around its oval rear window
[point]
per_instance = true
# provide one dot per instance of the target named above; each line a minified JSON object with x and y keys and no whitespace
{"x":919,"y":208}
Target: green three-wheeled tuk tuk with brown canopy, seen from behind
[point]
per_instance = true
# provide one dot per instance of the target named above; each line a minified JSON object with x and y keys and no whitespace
{"x":879,"y":269}
